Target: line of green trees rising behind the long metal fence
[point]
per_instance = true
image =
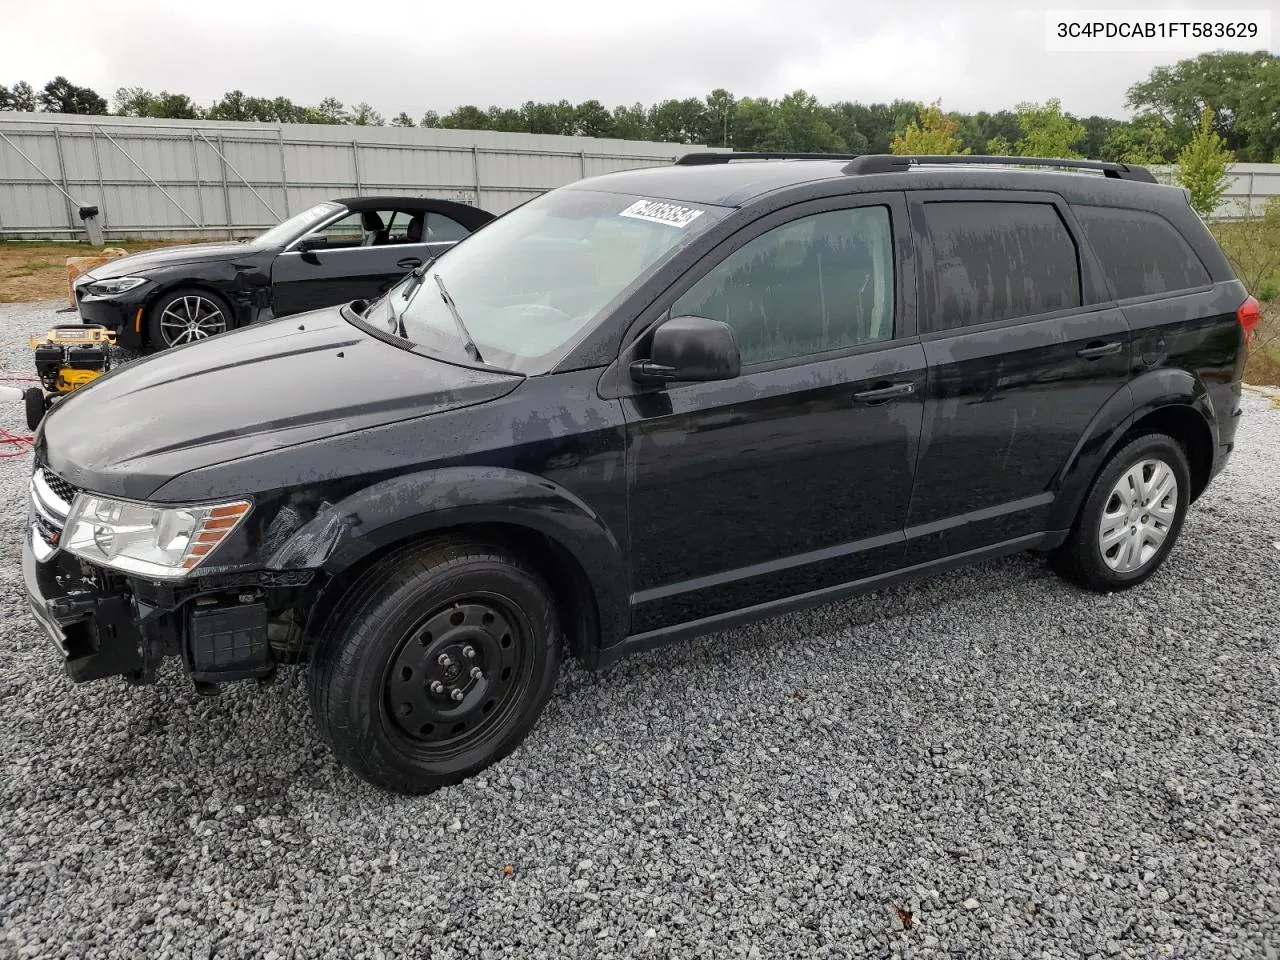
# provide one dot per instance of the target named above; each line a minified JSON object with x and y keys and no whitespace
{"x":1245,"y":90}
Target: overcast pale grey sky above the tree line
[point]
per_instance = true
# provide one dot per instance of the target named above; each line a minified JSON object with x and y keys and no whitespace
{"x":414,"y":56}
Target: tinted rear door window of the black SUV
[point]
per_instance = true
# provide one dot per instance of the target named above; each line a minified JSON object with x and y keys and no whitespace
{"x":998,"y":262}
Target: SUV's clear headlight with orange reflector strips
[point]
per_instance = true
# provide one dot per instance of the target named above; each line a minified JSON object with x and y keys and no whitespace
{"x":148,"y":541}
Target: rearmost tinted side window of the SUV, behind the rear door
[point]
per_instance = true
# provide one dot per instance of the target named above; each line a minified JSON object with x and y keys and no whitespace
{"x":1141,"y":254}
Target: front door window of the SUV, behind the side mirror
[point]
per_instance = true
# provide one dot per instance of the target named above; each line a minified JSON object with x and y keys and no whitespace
{"x":816,"y":285}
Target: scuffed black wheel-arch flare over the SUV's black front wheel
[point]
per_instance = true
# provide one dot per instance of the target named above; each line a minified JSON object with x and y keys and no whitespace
{"x":404,"y":508}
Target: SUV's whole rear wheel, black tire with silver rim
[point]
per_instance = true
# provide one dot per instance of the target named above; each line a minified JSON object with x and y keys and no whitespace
{"x":1131,"y":518}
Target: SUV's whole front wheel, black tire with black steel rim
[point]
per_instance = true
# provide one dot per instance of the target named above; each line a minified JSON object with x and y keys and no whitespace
{"x":437,"y":664}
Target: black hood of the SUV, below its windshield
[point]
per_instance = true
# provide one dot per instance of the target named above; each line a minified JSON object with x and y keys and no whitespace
{"x":264,"y":387}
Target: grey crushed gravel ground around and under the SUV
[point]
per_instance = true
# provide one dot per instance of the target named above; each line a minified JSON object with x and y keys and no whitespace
{"x":988,"y":765}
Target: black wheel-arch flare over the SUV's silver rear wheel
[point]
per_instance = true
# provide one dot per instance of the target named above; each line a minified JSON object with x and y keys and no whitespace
{"x":1156,"y":390}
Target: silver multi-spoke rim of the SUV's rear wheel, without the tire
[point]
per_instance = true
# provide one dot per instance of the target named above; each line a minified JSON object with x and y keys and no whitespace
{"x":1139,"y":516}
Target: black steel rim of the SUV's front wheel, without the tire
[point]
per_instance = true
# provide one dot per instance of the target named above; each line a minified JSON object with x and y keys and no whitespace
{"x":456,"y":678}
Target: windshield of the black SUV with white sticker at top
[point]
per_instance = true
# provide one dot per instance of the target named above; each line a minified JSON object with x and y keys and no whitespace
{"x":532,"y":282}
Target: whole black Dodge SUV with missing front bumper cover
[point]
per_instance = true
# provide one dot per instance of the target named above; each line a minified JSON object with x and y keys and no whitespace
{"x":638,"y":409}
